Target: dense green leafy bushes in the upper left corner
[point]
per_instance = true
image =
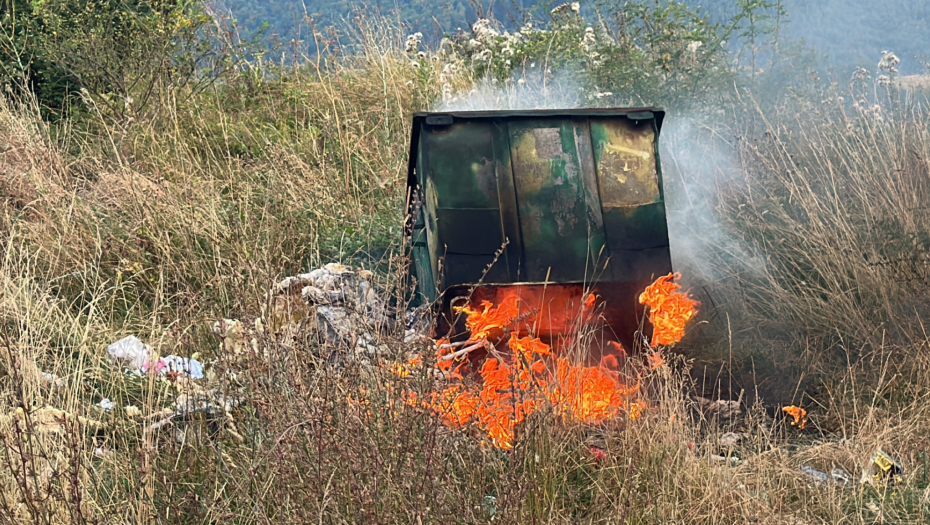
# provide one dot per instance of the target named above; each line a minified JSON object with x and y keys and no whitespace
{"x":117,"y":55}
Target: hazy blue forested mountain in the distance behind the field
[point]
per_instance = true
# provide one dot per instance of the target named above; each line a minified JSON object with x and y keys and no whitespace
{"x":847,"y":33}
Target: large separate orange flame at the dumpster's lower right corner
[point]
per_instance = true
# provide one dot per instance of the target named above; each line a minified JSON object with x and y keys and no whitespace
{"x":669,"y":310}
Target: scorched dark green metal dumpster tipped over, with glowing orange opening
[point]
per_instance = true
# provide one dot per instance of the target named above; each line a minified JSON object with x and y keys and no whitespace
{"x":559,"y":210}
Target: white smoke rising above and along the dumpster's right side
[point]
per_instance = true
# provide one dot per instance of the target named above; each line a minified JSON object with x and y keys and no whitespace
{"x":695,"y":167}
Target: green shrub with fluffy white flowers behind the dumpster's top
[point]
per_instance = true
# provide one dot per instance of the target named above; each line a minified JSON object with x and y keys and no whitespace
{"x":648,"y":54}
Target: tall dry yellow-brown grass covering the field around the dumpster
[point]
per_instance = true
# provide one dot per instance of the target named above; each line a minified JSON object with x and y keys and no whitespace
{"x":160,"y":227}
